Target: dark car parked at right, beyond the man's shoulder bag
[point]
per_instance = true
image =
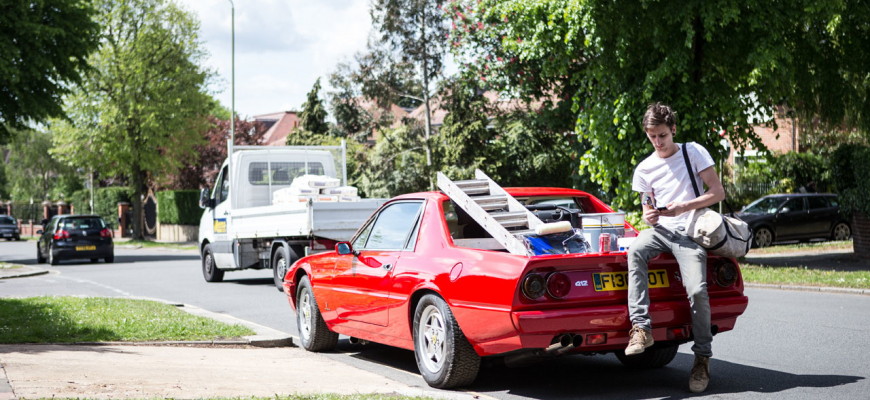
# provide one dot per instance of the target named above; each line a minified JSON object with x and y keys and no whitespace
{"x":784,"y":217}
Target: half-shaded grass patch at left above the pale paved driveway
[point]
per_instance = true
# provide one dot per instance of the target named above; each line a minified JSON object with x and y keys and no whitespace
{"x":93,"y":319}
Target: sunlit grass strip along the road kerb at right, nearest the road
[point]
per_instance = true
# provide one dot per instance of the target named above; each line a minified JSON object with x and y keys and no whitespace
{"x":754,"y":273}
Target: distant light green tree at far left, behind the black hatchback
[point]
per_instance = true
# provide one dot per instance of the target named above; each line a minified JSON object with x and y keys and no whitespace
{"x":34,"y":173}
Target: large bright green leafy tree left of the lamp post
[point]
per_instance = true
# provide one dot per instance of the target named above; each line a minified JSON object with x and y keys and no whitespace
{"x":143,"y":108}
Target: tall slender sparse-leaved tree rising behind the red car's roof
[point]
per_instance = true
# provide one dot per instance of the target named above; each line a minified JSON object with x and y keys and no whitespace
{"x":415,"y":29}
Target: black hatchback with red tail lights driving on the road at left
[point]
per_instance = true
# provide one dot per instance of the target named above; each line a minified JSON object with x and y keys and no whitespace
{"x":68,"y":237}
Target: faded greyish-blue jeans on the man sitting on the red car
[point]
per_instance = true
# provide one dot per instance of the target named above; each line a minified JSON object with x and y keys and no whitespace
{"x":692,"y":259}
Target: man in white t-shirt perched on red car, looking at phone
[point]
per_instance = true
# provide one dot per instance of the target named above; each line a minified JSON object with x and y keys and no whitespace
{"x":668,"y":199}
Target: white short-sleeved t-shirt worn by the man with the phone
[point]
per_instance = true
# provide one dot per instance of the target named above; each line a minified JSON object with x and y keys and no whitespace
{"x":668,"y":180}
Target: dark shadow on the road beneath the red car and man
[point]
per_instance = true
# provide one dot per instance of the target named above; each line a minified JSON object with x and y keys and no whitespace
{"x":604,"y":377}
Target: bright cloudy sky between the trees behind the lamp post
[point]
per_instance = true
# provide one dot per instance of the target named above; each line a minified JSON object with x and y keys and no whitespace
{"x":282,"y":47}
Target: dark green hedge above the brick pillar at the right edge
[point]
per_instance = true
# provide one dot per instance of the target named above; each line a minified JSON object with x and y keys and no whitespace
{"x":850,"y":170}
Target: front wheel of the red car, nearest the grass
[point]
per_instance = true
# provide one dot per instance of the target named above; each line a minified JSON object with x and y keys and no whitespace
{"x":313,"y":332}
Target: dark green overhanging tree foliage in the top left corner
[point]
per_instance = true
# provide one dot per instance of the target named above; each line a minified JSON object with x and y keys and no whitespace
{"x":44,"y":45}
